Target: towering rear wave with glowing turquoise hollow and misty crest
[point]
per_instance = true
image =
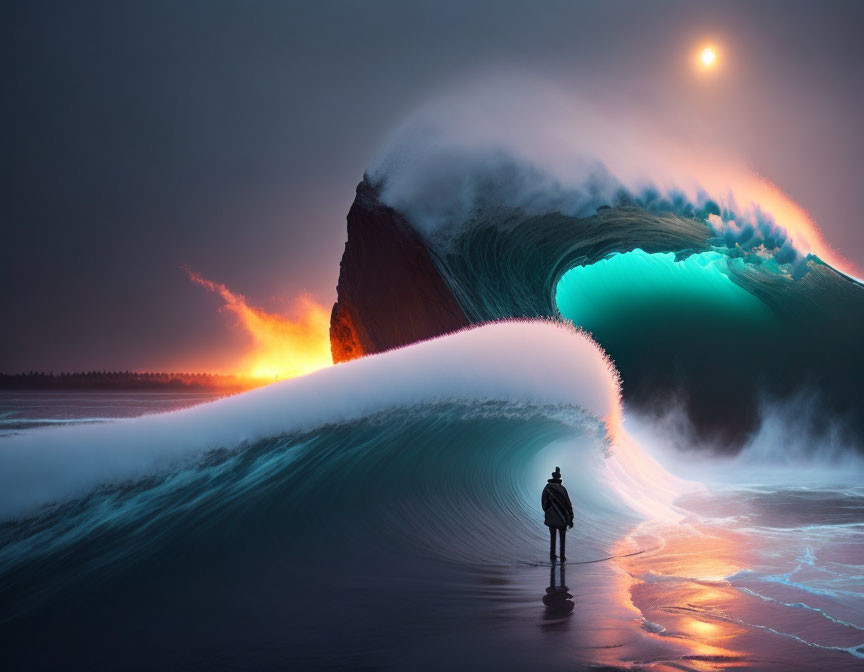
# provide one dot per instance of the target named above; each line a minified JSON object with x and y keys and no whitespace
{"x":529,"y":223}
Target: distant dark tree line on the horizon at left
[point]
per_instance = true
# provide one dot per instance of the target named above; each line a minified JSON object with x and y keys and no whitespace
{"x":121,"y":380}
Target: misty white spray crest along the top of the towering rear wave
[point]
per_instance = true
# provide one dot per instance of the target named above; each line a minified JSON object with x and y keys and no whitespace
{"x":545,"y":150}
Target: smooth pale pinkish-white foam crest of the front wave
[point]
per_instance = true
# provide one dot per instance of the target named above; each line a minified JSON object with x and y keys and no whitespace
{"x":519,"y":361}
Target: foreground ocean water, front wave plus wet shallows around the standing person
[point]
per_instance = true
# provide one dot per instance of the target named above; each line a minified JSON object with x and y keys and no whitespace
{"x":309,"y":526}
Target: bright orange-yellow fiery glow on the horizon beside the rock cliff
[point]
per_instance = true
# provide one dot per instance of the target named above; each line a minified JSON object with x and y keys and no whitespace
{"x":282,"y":347}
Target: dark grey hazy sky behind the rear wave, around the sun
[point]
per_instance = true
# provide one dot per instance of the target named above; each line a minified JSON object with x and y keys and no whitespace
{"x":138,"y":137}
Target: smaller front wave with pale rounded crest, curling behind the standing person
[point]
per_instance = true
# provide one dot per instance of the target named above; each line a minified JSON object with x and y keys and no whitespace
{"x":393,"y":468}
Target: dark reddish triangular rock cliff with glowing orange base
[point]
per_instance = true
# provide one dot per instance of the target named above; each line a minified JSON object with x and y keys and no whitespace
{"x":390,"y":293}
